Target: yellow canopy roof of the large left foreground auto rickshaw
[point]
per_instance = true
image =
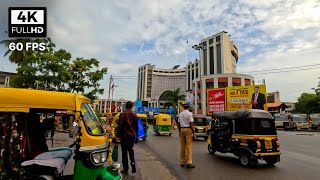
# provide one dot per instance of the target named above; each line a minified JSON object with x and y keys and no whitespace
{"x":22,"y":100}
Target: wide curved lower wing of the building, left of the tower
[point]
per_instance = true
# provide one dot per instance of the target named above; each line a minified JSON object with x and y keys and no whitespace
{"x":153,"y":82}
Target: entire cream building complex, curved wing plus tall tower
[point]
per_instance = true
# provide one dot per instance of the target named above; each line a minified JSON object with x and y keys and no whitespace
{"x":216,"y":68}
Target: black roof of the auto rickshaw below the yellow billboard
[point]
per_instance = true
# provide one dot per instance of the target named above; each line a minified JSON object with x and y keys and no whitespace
{"x":251,"y":113}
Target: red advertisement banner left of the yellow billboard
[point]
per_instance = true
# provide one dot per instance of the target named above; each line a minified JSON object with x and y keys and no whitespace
{"x":216,"y":100}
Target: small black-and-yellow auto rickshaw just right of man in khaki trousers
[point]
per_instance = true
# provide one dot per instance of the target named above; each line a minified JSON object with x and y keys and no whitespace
{"x":201,"y":123}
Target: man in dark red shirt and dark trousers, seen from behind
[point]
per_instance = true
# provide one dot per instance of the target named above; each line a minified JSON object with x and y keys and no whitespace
{"x":127,"y":129}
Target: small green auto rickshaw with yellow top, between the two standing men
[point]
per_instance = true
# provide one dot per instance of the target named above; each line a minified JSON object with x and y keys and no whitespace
{"x":162,"y":124}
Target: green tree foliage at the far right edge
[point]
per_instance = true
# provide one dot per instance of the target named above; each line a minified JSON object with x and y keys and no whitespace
{"x":309,"y":102}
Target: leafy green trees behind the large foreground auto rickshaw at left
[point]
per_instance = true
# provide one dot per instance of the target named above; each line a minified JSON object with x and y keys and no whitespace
{"x":55,"y":70}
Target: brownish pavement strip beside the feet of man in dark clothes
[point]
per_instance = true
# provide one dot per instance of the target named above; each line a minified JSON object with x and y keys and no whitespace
{"x":148,"y":165}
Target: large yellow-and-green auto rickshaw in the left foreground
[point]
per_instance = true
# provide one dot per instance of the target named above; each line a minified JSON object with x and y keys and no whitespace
{"x":30,"y":157}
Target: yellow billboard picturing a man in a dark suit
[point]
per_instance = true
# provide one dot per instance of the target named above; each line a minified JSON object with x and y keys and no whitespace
{"x":246,"y":97}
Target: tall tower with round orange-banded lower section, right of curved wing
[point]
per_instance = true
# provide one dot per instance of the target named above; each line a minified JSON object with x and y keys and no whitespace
{"x":217,"y":69}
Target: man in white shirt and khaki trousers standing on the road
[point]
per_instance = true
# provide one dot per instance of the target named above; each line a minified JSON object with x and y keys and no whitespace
{"x":186,"y":133}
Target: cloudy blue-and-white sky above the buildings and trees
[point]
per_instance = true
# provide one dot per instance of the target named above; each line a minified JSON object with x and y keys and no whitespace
{"x":123,"y":35}
